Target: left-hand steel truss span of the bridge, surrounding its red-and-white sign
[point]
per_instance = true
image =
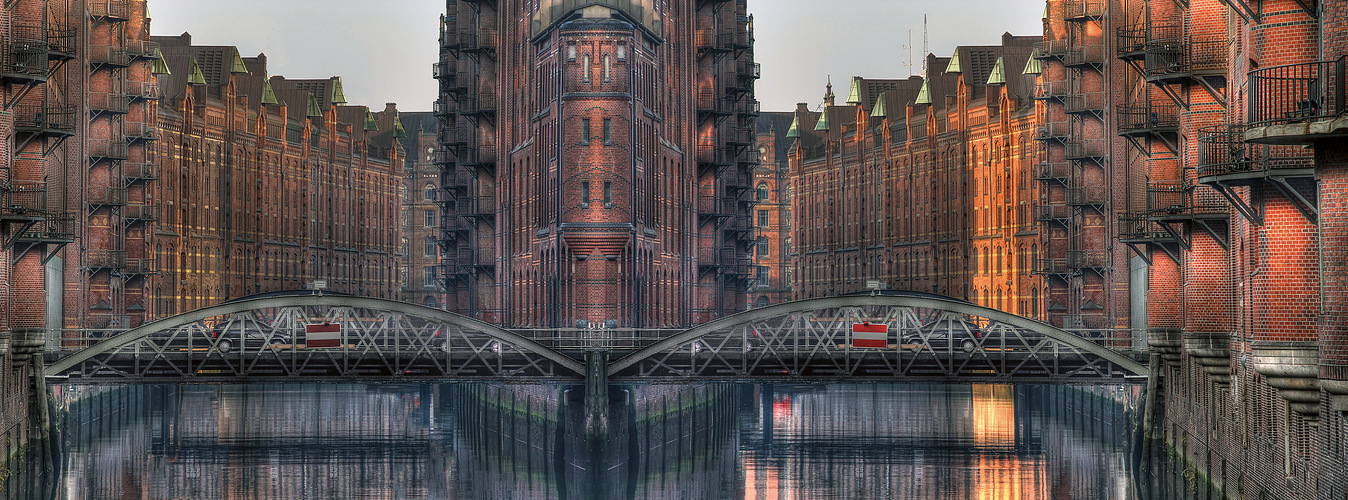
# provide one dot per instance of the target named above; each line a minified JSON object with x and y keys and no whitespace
{"x":262,"y":339}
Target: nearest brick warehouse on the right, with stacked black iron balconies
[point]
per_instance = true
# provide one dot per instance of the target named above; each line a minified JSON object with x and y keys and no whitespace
{"x":1225,"y":141}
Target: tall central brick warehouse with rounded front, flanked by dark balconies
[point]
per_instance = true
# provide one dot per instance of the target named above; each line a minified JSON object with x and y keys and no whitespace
{"x":629,"y":175}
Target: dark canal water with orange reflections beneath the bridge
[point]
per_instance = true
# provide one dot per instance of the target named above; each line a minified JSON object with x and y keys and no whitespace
{"x":494,"y":441}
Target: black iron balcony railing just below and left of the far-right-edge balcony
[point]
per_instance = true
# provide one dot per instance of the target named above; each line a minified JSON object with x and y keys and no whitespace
{"x":1225,"y":152}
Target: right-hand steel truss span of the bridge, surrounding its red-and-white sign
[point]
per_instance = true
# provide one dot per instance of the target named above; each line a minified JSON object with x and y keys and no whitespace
{"x":928,"y":339}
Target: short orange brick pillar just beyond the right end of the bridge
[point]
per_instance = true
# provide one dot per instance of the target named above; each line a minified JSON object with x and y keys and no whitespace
{"x":1165,"y":308}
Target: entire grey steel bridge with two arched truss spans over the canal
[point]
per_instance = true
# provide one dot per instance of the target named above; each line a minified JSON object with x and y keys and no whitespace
{"x":929,"y":339}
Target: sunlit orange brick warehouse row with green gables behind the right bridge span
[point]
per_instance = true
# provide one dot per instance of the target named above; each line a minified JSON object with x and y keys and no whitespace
{"x":925,"y":184}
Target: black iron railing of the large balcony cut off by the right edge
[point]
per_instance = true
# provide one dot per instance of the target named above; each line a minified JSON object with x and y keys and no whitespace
{"x":1296,"y":94}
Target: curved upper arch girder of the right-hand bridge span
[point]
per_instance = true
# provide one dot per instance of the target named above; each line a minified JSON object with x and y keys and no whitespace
{"x":1035,"y":336}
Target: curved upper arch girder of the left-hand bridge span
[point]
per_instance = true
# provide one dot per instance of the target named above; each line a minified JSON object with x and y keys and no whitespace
{"x":466,"y":327}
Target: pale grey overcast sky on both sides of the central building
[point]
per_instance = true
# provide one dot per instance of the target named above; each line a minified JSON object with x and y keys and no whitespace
{"x":385,"y":49}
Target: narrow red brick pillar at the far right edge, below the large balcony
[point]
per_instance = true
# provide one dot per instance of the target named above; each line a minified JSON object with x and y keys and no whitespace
{"x":1332,"y":173}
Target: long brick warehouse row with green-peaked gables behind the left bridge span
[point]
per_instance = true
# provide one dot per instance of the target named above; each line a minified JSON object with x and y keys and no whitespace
{"x":266,"y":184}
